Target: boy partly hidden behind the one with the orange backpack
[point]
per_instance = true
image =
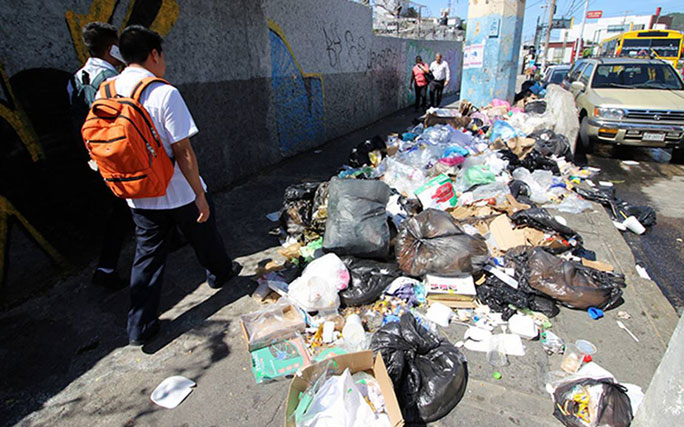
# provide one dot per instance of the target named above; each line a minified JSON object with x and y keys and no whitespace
{"x":101,"y":40}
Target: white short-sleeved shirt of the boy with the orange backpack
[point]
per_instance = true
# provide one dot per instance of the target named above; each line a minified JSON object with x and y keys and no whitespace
{"x":173,"y":121}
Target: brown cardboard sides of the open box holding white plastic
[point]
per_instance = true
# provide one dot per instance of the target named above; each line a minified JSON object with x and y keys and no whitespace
{"x":361,"y":361}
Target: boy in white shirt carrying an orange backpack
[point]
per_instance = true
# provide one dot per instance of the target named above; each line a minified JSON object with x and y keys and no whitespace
{"x":138,"y":131}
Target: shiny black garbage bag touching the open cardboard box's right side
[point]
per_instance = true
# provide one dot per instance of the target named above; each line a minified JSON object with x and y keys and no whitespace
{"x":429,"y":374}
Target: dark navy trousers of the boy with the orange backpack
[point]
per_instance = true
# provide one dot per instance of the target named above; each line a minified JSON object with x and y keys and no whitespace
{"x":153,"y":236}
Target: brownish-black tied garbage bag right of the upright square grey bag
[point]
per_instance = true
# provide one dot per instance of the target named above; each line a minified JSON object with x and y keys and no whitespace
{"x":432,"y":242}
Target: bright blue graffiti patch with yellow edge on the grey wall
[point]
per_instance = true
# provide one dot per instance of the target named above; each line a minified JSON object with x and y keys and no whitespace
{"x":298,"y":97}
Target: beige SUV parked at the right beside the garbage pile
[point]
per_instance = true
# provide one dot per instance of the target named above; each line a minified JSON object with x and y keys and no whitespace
{"x":624,"y":101}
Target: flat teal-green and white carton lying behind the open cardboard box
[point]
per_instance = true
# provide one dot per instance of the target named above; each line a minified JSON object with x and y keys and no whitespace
{"x":280,"y":359}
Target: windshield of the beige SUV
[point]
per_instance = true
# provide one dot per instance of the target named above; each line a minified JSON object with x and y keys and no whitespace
{"x":636,"y":76}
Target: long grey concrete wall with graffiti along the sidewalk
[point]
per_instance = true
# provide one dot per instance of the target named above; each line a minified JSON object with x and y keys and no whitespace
{"x":263,"y":79}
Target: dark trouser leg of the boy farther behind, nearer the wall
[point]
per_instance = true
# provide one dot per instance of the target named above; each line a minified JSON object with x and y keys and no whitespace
{"x":117,"y":225}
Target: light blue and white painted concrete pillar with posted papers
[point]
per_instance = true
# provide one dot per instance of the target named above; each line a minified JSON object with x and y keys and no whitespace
{"x":492,"y":49}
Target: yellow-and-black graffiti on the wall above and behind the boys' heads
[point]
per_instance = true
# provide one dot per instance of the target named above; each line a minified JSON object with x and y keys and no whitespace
{"x":159,"y":15}
